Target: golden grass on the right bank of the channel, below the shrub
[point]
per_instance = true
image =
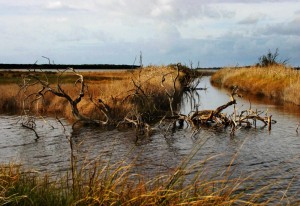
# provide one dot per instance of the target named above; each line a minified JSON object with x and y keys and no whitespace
{"x":276,"y":81}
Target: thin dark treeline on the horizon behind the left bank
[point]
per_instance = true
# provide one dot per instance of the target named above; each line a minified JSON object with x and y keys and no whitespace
{"x":64,"y":66}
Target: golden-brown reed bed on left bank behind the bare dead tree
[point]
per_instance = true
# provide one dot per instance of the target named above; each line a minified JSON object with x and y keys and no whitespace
{"x":120,"y":92}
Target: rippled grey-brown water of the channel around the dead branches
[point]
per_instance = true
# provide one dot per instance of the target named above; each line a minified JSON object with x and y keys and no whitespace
{"x":268,"y":156}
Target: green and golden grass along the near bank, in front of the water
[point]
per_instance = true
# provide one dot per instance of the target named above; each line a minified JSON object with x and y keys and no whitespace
{"x":118,"y":185}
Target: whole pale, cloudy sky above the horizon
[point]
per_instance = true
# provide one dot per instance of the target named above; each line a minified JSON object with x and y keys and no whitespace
{"x":205,"y":32}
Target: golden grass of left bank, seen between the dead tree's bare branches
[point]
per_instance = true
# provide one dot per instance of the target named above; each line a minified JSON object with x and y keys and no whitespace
{"x":113,"y":87}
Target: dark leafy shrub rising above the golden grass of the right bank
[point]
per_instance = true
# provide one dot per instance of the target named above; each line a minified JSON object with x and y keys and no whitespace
{"x":271,"y":59}
